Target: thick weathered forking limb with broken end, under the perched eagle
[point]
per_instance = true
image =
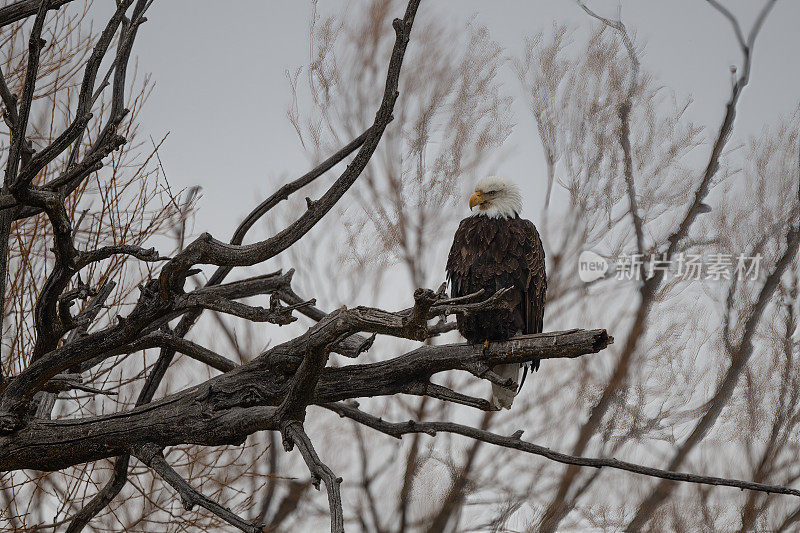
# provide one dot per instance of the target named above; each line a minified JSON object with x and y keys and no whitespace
{"x":245,"y":399}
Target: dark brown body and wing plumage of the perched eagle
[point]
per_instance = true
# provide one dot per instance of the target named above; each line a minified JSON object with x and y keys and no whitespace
{"x":492,"y":254}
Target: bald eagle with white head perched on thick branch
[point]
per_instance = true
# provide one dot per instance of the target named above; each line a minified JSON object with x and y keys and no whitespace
{"x":494,"y":249}
